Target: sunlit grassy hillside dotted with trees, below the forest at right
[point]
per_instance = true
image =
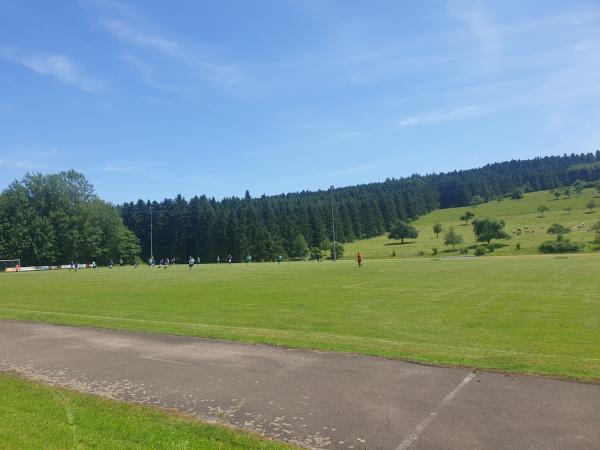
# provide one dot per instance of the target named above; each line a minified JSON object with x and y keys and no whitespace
{"x":516,"y":213}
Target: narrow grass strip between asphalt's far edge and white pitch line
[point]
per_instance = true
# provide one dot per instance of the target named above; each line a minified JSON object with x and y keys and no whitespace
{"x":482,"y":363}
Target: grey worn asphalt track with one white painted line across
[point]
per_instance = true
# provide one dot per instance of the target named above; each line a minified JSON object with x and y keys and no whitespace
{"x":314,"y":399}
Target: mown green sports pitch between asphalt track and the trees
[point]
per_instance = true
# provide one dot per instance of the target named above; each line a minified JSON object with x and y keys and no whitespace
{"x":534,"y":314}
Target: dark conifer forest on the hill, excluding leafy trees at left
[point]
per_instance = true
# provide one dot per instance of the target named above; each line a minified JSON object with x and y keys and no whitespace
{"x":270,"y":225}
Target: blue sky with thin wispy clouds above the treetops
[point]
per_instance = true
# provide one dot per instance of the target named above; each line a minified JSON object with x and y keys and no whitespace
{"x":152,"y":99}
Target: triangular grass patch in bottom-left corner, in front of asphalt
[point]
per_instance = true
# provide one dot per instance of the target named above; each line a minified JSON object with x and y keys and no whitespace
{"x":41,"y":417}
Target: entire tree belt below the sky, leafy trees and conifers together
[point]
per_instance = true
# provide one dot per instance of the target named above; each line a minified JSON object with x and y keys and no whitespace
{"x":52,"y":219}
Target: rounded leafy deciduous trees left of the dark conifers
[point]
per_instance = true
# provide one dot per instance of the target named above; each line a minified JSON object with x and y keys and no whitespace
{"x":55,"y":219}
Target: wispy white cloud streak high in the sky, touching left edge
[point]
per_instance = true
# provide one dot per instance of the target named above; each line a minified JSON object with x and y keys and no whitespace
{"x":59,"y":67}
